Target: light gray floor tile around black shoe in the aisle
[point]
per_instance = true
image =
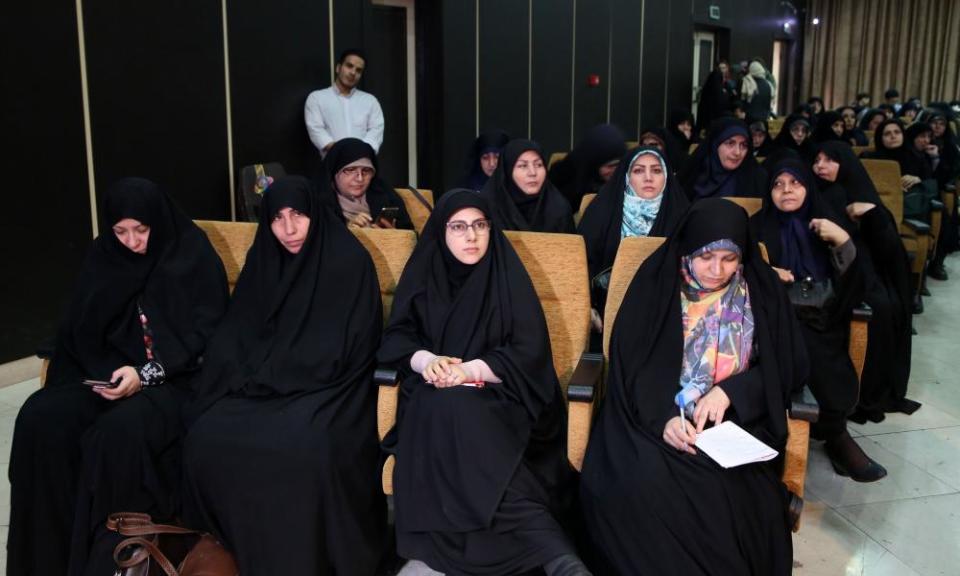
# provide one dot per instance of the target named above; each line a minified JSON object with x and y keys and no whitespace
{"x":904,"y":480}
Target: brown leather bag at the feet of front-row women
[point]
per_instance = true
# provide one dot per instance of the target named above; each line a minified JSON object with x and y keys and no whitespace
{"x":165,"y":550}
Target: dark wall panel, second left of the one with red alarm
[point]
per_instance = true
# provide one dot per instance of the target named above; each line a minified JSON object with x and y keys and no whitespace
{"x":504,"y":74}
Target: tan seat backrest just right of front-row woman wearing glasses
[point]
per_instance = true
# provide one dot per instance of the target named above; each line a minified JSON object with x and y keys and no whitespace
{"x":557,"y":265}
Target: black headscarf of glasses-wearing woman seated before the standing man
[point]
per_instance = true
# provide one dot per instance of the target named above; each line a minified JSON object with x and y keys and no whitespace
{"x":379,"y":194}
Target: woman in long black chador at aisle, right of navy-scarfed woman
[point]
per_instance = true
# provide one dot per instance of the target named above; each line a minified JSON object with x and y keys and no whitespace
{"x":846,"y":186}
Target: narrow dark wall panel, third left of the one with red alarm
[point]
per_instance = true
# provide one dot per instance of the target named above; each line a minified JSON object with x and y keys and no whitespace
{"x":459,"y":86}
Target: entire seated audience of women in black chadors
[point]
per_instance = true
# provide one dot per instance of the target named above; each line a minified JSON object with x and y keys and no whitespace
{"x":253,"y":416}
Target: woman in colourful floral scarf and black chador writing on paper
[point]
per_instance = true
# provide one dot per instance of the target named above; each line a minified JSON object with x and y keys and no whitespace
{"x":706,"y":328}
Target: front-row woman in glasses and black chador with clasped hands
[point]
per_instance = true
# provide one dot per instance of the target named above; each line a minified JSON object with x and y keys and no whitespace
{"x":481,"y":430}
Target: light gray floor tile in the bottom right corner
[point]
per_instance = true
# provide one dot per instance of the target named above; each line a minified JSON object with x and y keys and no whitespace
{"x":924,"y":533}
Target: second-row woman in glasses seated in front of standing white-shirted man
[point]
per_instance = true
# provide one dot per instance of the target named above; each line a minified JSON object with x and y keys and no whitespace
{"x":361,"y":198}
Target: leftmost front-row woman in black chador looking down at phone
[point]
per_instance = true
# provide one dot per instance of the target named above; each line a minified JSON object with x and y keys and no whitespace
{"x":149,"y":296}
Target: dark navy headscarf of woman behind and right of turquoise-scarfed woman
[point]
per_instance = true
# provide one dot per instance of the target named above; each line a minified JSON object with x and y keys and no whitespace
{"x":704,"y":175}
